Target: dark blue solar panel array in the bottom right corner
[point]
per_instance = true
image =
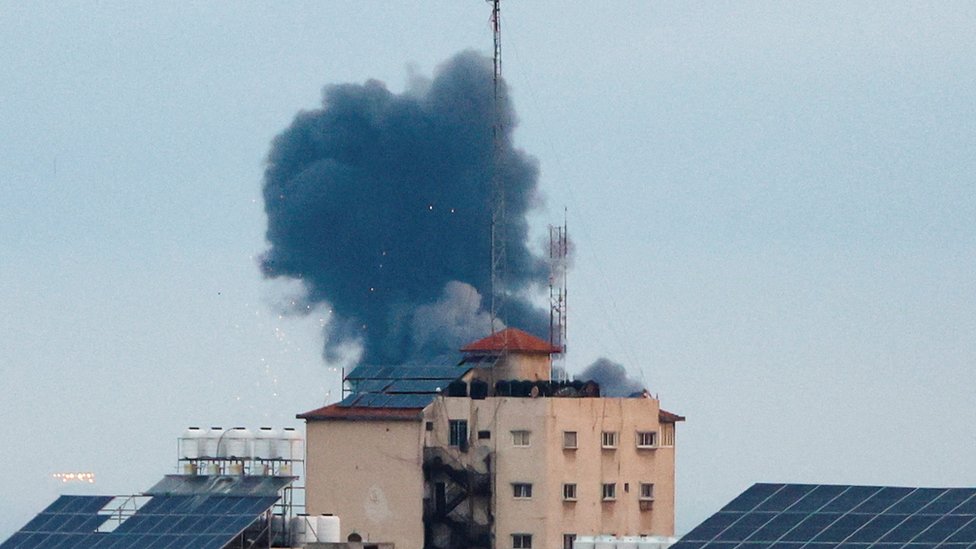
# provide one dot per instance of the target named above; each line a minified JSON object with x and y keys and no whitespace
{"x":794,"y":516}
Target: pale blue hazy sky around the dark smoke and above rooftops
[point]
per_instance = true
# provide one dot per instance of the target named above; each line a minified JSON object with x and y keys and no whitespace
{"x":773,"y":204}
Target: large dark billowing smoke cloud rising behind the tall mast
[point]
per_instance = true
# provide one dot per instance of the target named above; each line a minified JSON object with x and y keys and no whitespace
{"x":380,"y":204}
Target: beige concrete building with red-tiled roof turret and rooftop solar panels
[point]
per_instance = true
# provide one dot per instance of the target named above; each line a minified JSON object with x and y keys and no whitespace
{"x":490,"y":453}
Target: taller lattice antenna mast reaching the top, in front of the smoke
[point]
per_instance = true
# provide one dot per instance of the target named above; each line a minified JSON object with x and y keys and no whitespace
{"x":498,"y":255}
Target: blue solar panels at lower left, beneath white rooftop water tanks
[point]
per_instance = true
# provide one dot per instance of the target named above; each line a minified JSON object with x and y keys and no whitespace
{"x":165,"y":522}
